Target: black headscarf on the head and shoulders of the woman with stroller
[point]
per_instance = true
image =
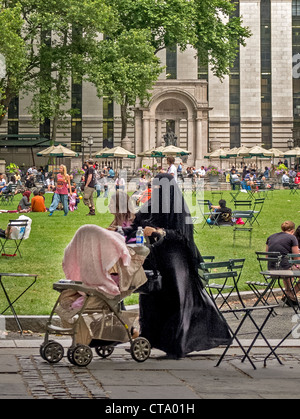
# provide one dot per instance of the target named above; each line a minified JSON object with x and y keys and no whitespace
{"x":167,"y":209}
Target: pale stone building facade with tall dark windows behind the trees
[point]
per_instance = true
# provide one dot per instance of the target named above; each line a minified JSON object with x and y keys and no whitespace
{"x":258,"y":103}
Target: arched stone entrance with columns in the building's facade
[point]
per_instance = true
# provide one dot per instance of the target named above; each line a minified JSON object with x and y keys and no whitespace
{"x":181,"y":105}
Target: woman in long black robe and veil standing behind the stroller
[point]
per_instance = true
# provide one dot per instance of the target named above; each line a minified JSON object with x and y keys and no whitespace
{"x":181,"y":318}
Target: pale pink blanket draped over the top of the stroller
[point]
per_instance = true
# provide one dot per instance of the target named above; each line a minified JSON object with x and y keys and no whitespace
{"x":90,"y":255}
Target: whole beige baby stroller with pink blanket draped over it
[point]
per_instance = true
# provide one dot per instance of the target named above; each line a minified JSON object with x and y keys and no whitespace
{"x":101,"y":270}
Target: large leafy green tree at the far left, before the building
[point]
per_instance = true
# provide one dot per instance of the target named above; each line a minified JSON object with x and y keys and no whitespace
{"x":75,"y":26}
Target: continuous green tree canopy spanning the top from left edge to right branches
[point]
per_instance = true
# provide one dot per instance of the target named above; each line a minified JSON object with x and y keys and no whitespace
{"x":123,"y":64}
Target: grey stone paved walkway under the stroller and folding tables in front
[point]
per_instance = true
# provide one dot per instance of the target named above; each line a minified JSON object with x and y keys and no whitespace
{"x":24,"y":374}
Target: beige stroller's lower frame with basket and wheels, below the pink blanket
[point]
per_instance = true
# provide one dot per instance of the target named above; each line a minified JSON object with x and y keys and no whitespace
{"x":98,"y":323}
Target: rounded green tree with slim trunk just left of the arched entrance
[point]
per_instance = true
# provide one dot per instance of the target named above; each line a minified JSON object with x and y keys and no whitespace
{"x":125,"y":69}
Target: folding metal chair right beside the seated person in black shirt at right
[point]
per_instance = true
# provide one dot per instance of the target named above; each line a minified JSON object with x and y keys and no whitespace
{"x":261,"y":289}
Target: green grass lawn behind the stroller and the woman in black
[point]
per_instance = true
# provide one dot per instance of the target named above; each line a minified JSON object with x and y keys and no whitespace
{"x":43,"y":251}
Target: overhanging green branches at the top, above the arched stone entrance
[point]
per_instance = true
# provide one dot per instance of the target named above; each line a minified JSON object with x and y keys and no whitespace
{"x":209,"y":26}
